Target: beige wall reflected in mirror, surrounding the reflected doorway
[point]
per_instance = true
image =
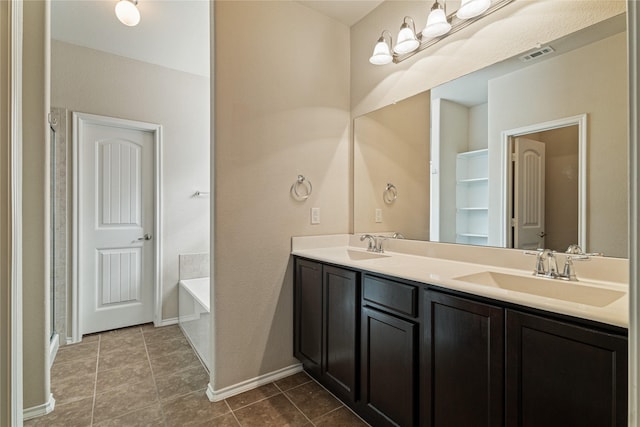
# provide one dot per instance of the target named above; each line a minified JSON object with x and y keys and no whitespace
{"x":553,"y":91}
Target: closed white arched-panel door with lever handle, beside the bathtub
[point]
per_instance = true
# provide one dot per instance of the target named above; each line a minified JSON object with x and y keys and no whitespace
{"x":116,"y":254}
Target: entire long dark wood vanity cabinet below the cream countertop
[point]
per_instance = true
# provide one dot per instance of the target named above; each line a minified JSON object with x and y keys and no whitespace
{"x":402,"y":353}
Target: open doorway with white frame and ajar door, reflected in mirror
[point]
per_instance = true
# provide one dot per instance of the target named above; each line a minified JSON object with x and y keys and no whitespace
{"x":545,"y":183}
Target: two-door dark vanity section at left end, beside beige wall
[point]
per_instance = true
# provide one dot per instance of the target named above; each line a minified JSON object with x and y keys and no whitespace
{"x":326,"y":317}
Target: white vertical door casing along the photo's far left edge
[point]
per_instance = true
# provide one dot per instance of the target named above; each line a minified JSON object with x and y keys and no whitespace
{"x":11,"y":224}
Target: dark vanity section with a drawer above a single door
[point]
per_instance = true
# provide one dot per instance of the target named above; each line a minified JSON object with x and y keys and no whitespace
{"x":389,"y":363}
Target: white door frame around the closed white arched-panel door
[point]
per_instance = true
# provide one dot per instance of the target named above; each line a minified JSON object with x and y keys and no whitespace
{"x":80,"y":120}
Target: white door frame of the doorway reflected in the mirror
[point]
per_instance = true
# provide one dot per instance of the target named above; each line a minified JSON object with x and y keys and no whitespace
{"x":506,"y":176}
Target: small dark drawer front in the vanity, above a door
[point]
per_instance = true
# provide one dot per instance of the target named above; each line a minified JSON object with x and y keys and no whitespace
{"x":390,"y":295}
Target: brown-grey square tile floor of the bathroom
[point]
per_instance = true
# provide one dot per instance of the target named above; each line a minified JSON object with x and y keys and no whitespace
{"x":146,"y":376}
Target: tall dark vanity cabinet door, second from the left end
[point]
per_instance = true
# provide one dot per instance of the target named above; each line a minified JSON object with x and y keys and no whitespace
{"x":341,"y":319}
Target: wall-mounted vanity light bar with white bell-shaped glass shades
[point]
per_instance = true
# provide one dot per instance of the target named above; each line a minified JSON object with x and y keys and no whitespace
{"x":439,"y":25}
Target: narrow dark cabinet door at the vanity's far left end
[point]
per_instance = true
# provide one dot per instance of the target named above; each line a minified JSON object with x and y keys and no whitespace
{"x":308,"y":315}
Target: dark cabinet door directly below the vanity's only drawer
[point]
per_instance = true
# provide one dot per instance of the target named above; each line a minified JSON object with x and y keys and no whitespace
{"x":389,"y":369}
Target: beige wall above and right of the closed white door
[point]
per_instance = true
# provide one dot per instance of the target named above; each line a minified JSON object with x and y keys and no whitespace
{"x":91,"y":81}
